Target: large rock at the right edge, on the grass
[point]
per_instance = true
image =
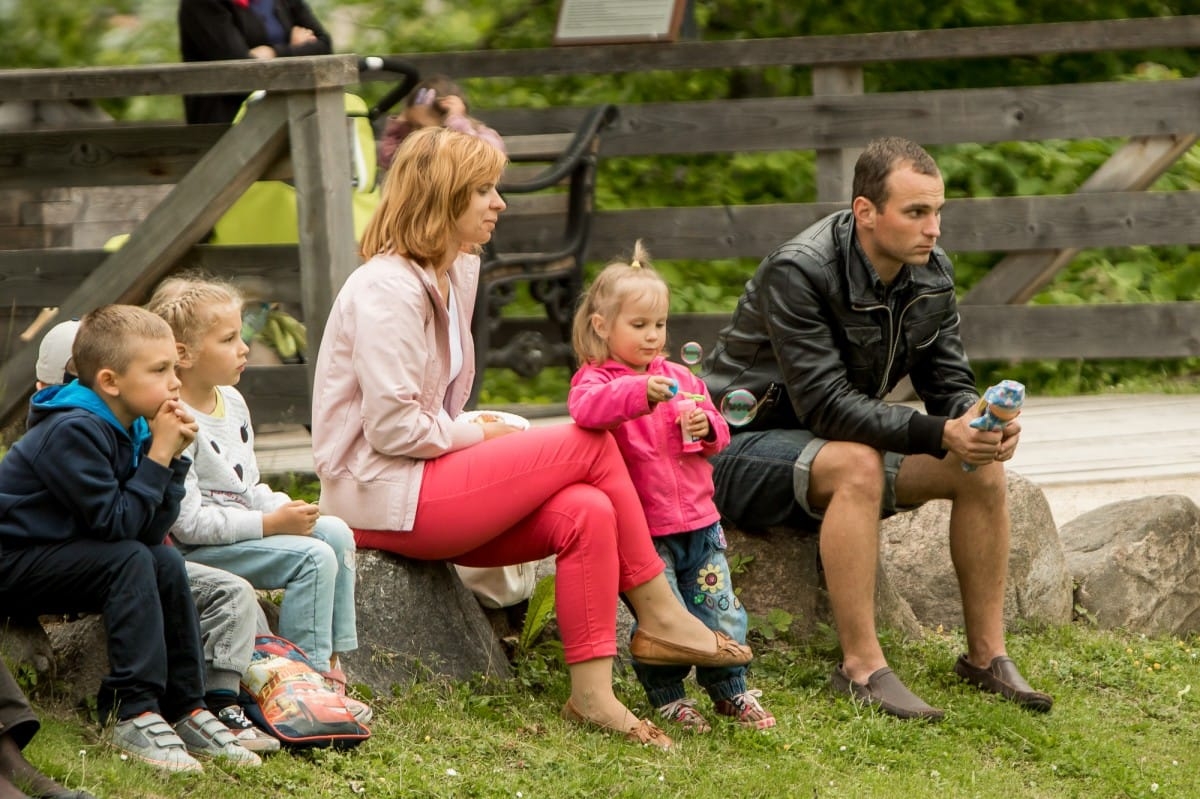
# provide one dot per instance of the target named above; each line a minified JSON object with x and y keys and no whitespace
{"x":1138,"y":564}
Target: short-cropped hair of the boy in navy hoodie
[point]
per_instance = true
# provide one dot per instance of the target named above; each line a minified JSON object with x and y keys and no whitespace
{"x":110,"y":338}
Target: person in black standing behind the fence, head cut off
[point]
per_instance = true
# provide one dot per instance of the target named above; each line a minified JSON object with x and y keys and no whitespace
{"x":217,"y":31}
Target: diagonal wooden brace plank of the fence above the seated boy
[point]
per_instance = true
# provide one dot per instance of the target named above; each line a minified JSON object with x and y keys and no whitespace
{"x":176,"y":225}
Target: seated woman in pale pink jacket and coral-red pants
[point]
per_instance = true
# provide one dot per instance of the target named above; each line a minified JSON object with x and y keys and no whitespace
{"x":394,"y":371}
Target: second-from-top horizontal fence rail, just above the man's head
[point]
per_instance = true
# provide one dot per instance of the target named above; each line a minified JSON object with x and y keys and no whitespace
{"x":943,"y":117}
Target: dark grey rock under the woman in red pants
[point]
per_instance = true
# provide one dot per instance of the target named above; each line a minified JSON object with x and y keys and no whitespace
{"x":416,"y":618}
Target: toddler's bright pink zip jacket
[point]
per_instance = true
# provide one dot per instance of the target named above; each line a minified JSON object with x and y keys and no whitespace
{"x":676,"y":488}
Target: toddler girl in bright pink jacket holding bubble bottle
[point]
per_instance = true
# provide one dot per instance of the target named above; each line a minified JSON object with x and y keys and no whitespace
{"x":658,"y":411}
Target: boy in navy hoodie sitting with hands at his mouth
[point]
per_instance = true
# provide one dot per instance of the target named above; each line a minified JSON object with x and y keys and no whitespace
{"x":87,"y":497}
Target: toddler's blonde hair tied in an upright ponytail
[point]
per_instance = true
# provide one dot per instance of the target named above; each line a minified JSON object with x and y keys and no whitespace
{"x":616,"y":284}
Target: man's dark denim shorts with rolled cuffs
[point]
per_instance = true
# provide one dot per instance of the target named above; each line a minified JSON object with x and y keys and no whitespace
{"x":763,"y":480}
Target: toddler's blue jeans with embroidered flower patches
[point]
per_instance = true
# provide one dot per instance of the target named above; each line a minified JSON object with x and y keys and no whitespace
{"x":700,"y":578}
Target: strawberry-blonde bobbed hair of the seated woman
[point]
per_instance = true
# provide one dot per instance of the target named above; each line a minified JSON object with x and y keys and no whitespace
{"x":429,"y":187}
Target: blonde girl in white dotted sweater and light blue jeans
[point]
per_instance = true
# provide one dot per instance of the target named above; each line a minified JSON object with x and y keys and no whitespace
{"x":230,"y":520}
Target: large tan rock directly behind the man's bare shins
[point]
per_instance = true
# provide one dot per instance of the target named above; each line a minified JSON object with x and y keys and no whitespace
{"x":917,"y":558}
